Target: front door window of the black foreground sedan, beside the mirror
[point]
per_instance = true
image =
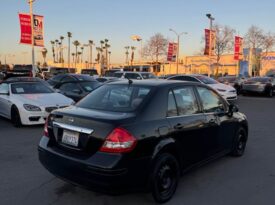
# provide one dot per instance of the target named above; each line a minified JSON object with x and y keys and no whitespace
{"x":211,"y":102}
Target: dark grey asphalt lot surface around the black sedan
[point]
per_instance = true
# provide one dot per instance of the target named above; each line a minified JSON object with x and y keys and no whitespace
{"x":246,"y":180}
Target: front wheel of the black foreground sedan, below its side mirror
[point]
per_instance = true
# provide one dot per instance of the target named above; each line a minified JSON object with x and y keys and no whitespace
{"x":239,"y":143}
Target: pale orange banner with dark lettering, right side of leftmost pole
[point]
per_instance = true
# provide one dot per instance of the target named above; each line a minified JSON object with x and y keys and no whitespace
{"x":38,"y":30}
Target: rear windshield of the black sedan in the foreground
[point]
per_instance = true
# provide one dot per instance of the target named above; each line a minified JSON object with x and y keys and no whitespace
{"x":116,"y":98}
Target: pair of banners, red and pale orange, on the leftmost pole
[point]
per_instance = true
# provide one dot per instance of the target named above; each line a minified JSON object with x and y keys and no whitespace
{"x":26,"y":29}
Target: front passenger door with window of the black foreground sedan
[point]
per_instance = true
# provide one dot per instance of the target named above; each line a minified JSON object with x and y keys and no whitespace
{"x":220,"y":127}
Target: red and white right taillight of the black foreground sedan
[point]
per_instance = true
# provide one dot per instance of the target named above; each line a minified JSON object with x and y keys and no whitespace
{"x":119,"y":141}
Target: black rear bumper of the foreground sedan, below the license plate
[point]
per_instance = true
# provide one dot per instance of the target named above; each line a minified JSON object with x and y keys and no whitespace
{"x":91,"y":174}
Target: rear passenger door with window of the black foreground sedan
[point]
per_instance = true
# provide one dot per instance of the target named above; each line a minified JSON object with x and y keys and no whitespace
{"x":187,"y":123}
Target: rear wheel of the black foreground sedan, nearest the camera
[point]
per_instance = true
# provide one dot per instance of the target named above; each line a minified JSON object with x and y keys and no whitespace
{"x":164,"y":178}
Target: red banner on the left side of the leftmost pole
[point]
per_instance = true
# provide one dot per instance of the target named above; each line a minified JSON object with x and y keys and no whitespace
{"x":26,"y":29}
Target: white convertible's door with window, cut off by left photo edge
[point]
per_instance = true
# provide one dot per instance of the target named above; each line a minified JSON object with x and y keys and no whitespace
{"x":5,"y":102}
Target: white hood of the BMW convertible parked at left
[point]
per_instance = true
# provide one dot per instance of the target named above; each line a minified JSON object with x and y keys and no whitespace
{"x":46,"y":99}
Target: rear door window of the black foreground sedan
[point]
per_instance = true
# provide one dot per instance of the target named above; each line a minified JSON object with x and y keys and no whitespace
{"x":186,"y":101}
